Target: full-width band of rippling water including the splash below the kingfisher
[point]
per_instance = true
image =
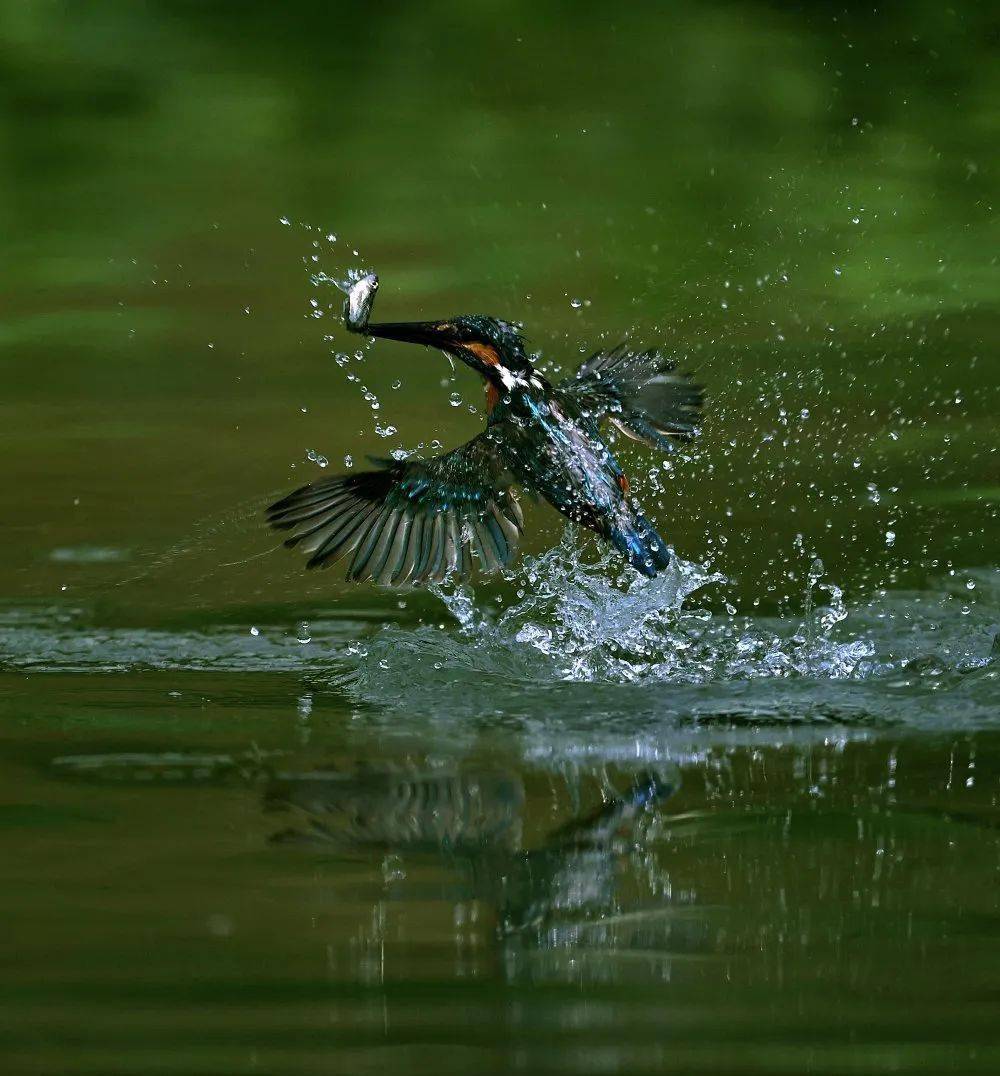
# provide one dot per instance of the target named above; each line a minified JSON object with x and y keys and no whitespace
{"x":590,"y":646}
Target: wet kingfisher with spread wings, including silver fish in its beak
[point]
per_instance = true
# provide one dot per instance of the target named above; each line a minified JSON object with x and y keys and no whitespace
{"x":414,"y":522}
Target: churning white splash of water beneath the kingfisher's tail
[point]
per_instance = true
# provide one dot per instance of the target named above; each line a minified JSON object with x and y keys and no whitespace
{"x":588,"y":624}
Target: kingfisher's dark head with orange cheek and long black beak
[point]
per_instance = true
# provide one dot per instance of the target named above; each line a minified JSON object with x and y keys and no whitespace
{"x":490,"y":347}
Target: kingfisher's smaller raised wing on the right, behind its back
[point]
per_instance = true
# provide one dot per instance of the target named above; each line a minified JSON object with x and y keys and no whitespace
{"x":641,"y":393}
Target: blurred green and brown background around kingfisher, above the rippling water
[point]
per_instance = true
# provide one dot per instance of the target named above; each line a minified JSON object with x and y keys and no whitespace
{"x":798,"y":201}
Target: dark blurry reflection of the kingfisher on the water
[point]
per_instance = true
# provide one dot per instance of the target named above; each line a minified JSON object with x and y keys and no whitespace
{"x":477,"y":820}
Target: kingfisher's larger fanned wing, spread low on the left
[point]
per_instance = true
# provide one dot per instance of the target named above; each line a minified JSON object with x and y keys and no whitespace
{"x":409,"y":523}
